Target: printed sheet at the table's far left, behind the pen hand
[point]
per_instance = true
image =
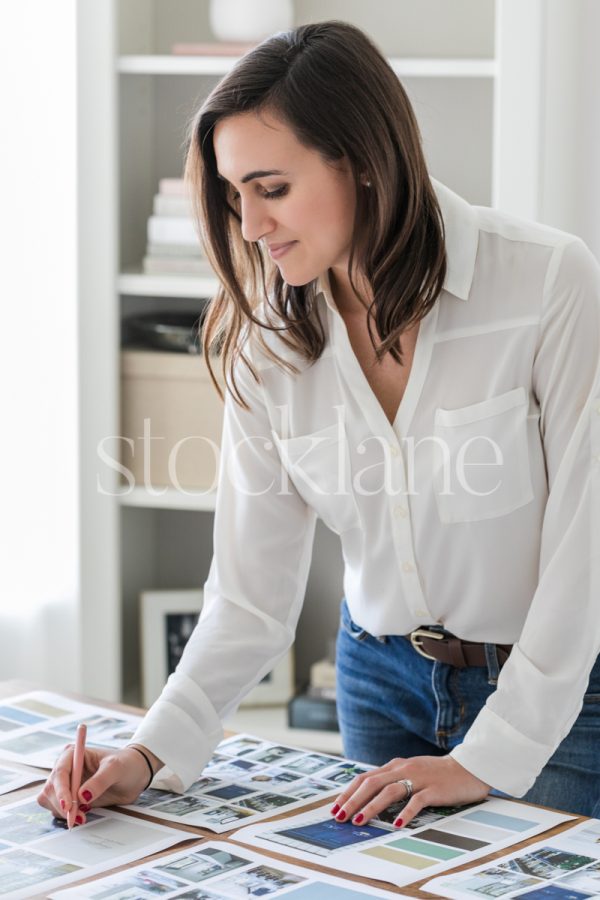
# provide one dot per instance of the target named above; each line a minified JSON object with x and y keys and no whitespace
{"x":35,"y":727}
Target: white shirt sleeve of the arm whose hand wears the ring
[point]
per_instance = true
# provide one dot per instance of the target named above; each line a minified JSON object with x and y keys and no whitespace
{"x":541,"y":688}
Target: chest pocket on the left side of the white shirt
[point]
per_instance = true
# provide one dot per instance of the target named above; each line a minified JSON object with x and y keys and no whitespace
{"x":319,"y":467}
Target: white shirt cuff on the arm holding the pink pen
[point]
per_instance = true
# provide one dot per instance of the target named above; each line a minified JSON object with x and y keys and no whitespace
{"x":184,"y":742}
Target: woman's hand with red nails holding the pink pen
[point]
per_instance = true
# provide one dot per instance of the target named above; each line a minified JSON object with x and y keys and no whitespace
{"x":109,"y":777}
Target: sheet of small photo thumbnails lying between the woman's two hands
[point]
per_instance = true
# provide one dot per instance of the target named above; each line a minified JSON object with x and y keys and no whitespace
{"x":249,"y":779}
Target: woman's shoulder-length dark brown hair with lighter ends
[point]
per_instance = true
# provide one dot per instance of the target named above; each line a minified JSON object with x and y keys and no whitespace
{"x":331,"y":85}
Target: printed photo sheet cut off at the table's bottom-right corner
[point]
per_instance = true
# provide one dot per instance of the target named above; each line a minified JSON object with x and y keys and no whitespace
{"x":563,"y":867}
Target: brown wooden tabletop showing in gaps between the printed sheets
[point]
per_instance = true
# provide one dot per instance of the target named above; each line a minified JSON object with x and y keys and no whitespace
{"x":12,"y":688}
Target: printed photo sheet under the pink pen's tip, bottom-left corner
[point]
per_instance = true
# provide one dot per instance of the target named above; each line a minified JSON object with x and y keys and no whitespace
{"x":38,"y":853}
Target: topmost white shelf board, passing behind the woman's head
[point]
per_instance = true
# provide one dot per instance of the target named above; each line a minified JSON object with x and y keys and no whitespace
{"x":220,"y":65}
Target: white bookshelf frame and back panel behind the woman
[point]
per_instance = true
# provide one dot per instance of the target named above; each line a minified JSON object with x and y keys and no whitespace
{"x":473,"y":71}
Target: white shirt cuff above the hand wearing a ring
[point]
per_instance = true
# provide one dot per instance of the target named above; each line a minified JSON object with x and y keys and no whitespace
{"x":501,"y":756}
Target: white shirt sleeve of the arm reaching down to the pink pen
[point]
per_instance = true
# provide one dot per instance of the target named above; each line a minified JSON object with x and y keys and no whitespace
{"x":263,"y":535}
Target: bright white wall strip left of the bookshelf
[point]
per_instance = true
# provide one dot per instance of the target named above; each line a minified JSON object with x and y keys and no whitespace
{"x":38,"y":363}
